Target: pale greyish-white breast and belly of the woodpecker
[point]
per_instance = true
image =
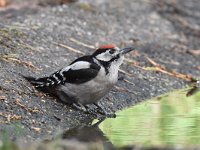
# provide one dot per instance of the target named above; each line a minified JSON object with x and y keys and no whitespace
{"x":92,"y":91}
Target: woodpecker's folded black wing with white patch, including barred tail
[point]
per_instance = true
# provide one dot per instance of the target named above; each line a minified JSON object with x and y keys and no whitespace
{"x":81,"y":70}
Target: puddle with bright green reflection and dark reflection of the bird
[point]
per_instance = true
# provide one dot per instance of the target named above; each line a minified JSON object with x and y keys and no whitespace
{"x":171,"y":119}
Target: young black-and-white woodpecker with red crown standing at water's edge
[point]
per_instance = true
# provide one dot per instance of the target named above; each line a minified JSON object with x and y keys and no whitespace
{"x":86,"y":80}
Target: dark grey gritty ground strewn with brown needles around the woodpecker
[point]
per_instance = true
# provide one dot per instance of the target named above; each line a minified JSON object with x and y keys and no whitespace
{"x":38,"y":40}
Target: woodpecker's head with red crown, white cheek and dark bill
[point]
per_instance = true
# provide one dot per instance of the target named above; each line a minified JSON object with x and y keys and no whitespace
{"x":110,"y":54}
